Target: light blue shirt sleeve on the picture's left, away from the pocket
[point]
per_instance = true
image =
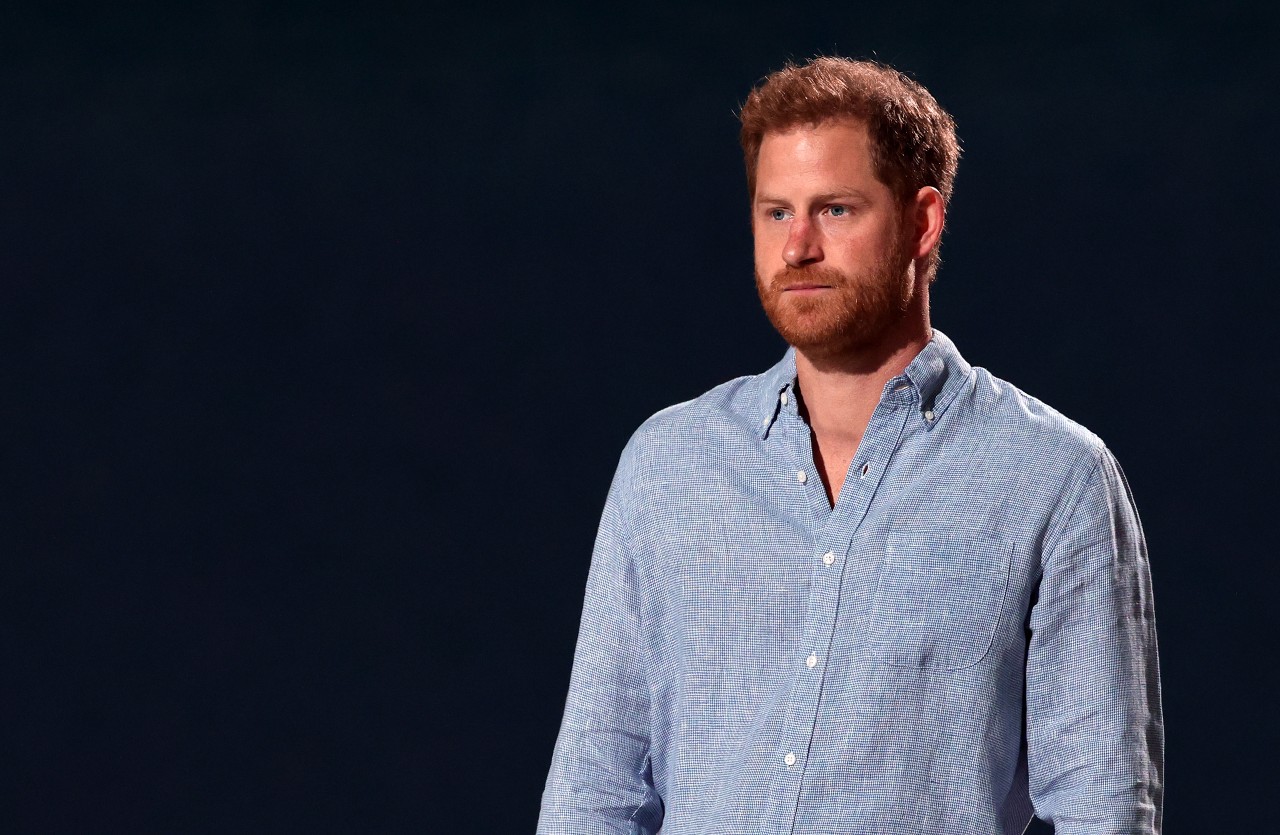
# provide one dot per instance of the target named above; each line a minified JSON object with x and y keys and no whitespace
{"x":600,"y":781}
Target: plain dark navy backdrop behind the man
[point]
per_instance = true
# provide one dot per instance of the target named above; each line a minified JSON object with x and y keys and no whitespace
{"x":327,"y":327}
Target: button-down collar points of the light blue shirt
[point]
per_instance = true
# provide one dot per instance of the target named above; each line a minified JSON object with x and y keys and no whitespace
{"x":935,"y":377}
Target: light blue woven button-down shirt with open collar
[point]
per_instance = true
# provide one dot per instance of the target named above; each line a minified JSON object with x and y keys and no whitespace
{"x":966,"y":638}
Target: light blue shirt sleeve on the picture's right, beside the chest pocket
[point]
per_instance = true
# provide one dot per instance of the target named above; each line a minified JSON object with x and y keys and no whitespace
{"x":1095,"y":729}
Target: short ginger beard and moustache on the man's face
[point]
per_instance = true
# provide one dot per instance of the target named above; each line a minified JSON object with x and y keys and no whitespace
{"x":857,"y":313}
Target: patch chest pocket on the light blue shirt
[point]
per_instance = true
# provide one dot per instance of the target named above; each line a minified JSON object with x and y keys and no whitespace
{"x":940,"y":599}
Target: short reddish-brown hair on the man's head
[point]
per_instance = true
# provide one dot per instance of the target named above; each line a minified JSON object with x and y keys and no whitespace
{"x":913,"y":139}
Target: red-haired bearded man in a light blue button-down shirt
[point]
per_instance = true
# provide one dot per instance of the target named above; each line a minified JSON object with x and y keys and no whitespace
{"x":874,"y":590}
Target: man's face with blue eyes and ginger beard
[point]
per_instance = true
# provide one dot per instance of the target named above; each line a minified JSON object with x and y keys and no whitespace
{"x":833,"y":250}
